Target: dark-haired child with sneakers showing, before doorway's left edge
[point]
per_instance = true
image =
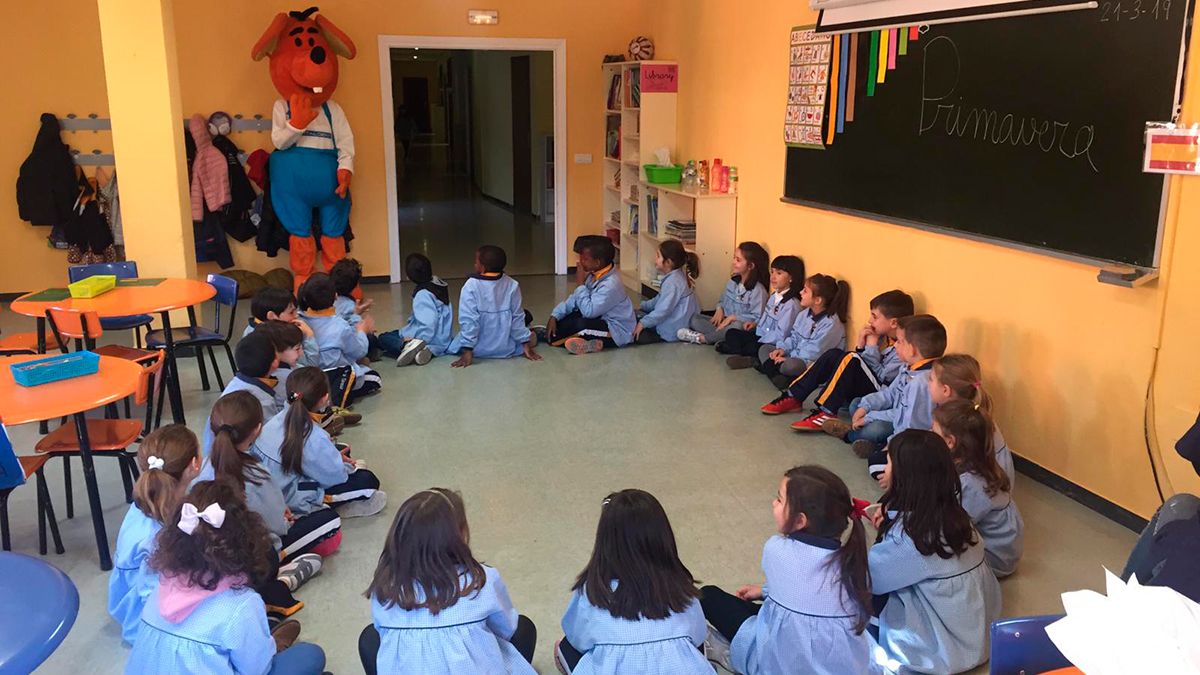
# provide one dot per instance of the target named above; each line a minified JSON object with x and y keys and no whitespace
{"x":428,"y":332}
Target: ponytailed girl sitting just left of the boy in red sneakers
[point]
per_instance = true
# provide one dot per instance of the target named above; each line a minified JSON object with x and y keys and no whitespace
{"x":820,"y":327}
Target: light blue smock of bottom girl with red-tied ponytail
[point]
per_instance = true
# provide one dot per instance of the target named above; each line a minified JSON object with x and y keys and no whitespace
{"x":807,"y":622}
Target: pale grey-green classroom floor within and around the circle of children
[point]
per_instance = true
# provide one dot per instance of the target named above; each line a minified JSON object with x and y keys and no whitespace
{"x":535,"y":447}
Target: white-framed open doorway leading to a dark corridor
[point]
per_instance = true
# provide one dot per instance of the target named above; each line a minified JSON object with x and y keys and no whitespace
{"x":471,"y":151}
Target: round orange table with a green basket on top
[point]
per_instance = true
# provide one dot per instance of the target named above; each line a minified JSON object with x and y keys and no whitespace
{"x":124,"y":301}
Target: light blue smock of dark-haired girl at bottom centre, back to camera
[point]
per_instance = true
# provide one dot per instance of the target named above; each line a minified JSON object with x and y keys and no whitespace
{"x":620,"y":647}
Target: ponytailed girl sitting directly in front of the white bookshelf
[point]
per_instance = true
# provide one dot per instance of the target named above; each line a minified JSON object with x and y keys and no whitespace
{"x":671,"y":310}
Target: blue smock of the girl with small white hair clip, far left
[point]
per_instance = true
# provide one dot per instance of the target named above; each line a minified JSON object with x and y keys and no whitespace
{"x":131,"y":581}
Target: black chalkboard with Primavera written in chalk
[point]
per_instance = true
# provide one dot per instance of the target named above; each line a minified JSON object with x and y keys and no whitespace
{"x":1028,"y":130}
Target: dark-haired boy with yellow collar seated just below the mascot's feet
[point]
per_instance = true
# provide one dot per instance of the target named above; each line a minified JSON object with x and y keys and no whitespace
{"x":341,"y":345}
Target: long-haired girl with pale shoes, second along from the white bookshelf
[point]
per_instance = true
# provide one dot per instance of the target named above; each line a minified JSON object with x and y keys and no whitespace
{"x":742,"y":301}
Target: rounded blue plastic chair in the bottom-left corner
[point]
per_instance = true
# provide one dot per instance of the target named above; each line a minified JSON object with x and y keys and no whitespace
{"x":39,"y":608}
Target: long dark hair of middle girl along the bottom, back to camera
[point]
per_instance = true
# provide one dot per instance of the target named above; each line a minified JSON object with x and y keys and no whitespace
{"x":635,"y":547}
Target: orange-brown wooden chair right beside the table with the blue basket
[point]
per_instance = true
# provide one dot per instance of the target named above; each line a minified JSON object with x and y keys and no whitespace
{"x":110,"y":438}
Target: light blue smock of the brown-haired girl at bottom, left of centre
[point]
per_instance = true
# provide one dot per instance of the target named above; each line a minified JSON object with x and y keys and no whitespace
{"x":471,"y":636}
